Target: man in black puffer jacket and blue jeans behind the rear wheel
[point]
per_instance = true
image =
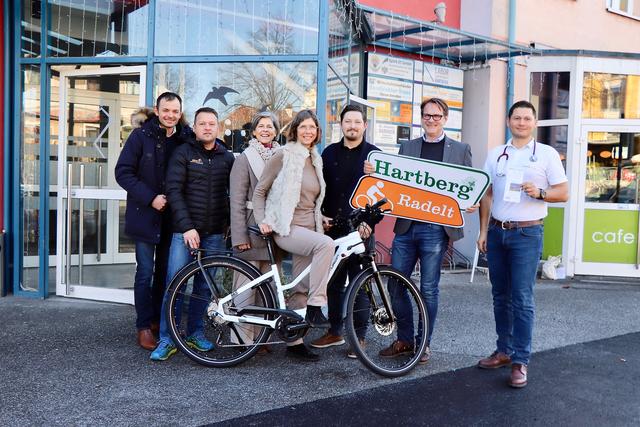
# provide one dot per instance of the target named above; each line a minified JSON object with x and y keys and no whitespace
{"x":198,"y":191}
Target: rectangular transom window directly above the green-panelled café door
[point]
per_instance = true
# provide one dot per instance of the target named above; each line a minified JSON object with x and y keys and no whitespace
{"x":611,"y":96}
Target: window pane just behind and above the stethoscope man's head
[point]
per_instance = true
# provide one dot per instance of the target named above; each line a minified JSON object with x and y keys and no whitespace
{"x":550,"y":94}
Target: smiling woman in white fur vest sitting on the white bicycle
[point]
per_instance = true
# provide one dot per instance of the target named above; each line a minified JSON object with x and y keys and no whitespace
{"x":287,"y":202}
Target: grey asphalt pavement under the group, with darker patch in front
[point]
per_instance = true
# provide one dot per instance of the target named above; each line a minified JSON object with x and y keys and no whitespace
{"x":72,"y":362}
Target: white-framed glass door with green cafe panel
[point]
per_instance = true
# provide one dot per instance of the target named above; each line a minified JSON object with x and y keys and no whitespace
{"x":609,"y":201}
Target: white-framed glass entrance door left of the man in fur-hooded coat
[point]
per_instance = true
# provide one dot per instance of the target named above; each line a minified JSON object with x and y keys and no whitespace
{"x":95,"y":259}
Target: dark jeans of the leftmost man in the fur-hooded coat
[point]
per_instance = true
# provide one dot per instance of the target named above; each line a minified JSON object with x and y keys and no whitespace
{"x":149,"y":282}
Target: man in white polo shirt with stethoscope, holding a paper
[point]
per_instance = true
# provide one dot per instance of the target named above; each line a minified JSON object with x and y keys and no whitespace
{"x":525,"y":175}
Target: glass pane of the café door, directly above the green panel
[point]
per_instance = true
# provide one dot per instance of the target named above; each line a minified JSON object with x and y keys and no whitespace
{"x":613,"y":167}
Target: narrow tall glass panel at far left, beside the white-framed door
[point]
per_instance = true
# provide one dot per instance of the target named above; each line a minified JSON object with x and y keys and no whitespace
{"x":30,"y":173}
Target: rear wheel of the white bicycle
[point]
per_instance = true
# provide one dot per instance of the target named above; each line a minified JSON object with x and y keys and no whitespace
{"x":191,"y":306}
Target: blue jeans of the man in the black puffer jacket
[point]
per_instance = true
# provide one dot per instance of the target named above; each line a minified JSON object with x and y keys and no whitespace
{"x":179,"y":256}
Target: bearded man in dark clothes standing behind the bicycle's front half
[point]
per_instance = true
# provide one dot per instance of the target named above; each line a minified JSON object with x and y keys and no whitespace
{"x":342,"y":168}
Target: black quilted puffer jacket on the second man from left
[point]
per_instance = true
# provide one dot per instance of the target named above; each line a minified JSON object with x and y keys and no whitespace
{"x":198,"y":188}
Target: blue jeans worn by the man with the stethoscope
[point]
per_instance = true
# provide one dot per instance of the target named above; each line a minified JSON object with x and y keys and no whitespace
{"x":513,"y":257}
